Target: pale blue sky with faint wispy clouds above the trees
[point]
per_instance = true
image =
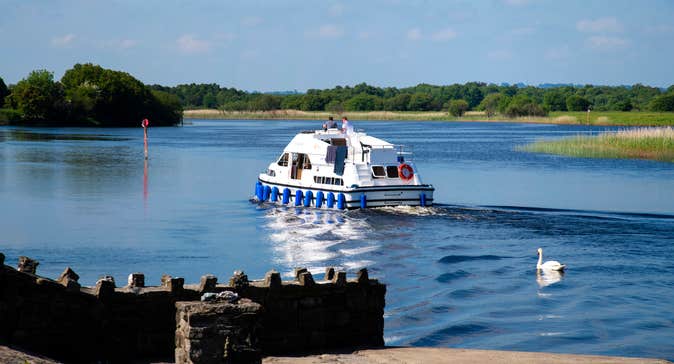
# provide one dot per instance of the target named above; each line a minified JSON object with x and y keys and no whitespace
{"x":279,"y":45}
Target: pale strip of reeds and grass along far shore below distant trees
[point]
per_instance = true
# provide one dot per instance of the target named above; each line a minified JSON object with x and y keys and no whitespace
{"x":608,"y":118}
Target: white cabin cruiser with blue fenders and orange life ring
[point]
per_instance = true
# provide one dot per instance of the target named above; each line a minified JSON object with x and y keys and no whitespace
{"x":330,"y":169}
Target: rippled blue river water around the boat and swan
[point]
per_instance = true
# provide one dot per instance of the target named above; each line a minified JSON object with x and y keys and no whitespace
{"x":460,"y":274}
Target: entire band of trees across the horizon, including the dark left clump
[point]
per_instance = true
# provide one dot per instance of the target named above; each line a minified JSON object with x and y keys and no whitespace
{"x":88,"y":94}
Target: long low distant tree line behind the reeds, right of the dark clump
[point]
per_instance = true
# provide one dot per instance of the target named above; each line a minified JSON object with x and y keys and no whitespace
{"x":509,"y":100}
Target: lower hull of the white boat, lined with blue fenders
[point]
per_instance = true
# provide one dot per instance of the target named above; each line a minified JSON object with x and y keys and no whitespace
{"x":356,"y":197}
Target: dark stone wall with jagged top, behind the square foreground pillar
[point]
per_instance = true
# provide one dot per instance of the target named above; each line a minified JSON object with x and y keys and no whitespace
{"x":63,"y":320}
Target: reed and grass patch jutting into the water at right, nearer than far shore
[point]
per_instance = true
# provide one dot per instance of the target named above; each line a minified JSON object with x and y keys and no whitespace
{"x":640,"y":143}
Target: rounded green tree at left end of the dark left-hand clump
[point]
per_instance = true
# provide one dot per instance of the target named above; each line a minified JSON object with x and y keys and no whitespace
{"x":38,"y":97}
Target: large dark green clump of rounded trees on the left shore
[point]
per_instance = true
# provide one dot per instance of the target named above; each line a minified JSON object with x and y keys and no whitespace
{"x":87,"y":95}
